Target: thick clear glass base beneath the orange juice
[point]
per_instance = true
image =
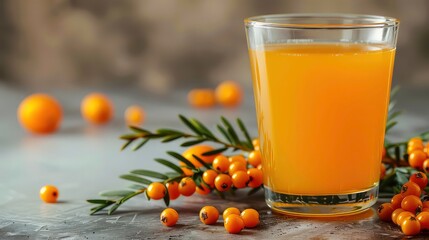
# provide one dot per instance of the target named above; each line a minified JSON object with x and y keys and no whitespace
{"x":321,"y":205}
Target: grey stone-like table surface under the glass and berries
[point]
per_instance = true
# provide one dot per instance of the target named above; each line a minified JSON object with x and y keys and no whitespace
{"x":81,"y":160}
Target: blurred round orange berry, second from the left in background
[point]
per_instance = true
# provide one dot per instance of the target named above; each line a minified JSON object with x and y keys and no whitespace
{"x":96,"y":108}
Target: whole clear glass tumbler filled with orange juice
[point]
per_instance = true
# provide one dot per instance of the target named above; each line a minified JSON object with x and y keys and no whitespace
{"x":321,"y":85}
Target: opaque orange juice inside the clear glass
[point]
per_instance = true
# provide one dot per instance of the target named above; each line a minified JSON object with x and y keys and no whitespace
{"x":321,"y":112}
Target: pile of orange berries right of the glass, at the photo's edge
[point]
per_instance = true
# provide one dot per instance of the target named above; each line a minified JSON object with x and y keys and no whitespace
{"x":406,"y":209}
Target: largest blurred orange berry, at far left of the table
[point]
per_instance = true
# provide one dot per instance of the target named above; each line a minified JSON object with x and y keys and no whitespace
{"x":40,"y":113}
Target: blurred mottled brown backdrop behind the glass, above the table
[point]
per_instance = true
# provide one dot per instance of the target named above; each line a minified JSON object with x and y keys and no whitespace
{"x":160,"y":46}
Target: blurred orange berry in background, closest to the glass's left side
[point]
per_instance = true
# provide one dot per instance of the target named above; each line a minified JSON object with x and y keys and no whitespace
{"x":228,"y":94}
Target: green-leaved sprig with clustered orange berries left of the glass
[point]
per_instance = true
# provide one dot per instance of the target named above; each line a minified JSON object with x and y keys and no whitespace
{"x":200,"y":169}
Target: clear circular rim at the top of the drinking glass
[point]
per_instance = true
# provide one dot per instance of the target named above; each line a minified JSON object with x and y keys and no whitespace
{"x":291,"y":20}
